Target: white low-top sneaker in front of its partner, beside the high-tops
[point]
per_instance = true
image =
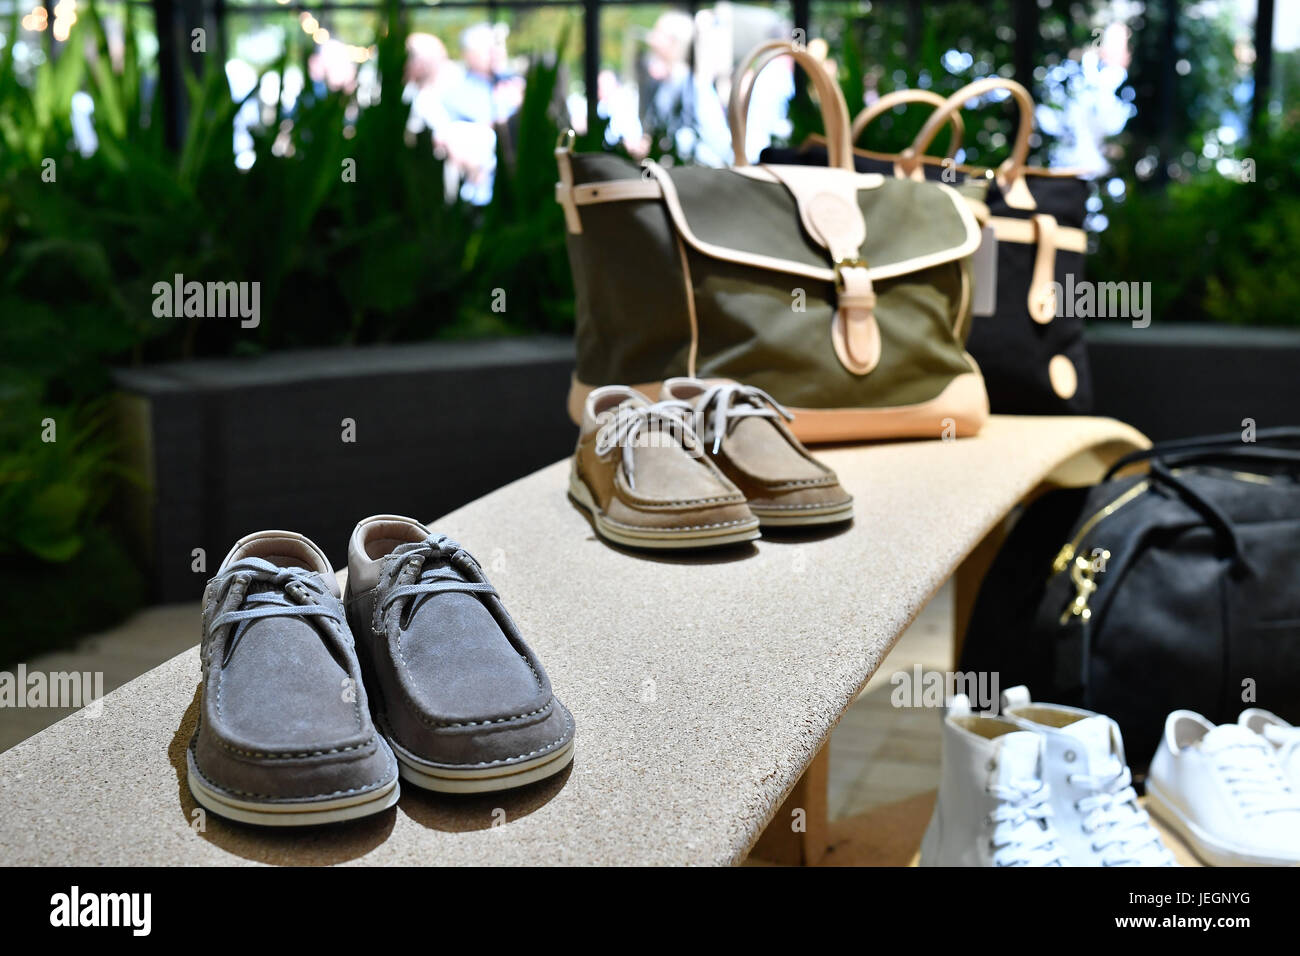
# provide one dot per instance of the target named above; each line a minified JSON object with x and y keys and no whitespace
{"x":1225,"y":793}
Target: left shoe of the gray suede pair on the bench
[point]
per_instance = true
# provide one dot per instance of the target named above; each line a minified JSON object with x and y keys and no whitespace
{"x":285,"y":736}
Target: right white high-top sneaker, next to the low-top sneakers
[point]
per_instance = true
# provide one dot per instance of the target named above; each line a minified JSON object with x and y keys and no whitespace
{"x":1094,"y":806}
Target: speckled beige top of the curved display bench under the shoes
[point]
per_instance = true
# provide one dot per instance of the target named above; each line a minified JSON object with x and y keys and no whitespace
{"x":703,"y":687}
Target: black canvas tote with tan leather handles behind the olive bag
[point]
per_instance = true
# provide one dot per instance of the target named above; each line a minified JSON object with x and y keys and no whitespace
{"x":1030,"y":348}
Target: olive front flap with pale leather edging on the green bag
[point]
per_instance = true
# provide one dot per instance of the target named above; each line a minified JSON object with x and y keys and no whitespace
{"x":752,"y":218}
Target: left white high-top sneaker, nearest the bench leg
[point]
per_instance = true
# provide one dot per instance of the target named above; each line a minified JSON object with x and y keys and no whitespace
{"x":993,"y":808}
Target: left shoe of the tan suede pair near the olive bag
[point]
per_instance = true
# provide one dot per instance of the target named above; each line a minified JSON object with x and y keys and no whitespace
{"x":644,"y":477}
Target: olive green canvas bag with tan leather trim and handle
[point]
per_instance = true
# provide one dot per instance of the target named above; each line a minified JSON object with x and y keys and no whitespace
{"x":846,"y":296}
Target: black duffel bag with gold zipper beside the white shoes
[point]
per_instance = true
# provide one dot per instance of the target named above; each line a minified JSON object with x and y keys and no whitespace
{"x":1151,"y":592}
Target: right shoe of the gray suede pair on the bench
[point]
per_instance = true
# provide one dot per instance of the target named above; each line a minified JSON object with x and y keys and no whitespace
{"x":462,"y":699}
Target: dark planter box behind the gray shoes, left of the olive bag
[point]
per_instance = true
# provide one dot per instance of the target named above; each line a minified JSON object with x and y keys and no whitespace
{"x":237,"y":445}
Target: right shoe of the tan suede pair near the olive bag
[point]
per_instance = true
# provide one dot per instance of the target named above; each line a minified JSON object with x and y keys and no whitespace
{"x":744,"y":432}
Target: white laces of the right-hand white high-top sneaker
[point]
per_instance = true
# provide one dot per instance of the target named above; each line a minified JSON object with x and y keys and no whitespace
{"x":1112,"y":814}
